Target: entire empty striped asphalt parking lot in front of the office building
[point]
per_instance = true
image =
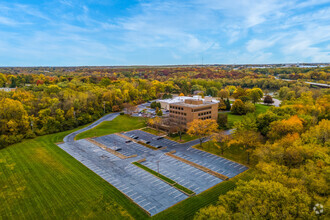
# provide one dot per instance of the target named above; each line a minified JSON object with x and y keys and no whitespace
{"x":146,"y":190}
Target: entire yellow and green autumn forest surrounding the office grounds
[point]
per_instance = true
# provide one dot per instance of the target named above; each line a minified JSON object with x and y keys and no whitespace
{"x":287,"y":146}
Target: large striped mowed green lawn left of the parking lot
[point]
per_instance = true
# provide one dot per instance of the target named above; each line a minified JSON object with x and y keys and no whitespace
{"x":38,"y":180}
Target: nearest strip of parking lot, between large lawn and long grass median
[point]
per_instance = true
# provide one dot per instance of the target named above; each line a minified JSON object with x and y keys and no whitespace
{"x":146,"y":190}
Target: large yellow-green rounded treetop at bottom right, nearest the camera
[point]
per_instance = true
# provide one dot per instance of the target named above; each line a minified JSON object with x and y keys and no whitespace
{"x":260,"y":200}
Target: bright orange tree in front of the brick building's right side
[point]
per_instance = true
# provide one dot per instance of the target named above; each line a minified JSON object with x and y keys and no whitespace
{"x":202,"y":128}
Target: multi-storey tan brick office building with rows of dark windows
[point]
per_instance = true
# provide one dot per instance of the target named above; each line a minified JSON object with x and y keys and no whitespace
{"x":191,"y":109}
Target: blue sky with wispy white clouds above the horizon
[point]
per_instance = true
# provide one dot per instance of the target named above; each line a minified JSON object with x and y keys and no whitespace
{"x":122,"y":32}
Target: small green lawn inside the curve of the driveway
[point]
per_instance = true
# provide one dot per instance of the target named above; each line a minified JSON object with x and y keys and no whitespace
{"x":119,"y":124}
